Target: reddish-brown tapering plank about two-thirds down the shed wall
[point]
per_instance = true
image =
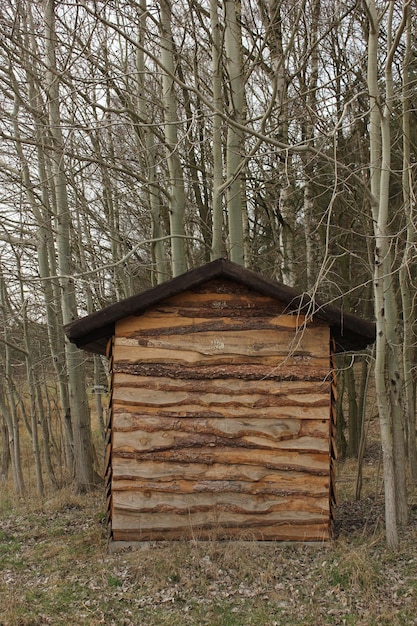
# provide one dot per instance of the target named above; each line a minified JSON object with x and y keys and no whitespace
{"x":309,"y":462}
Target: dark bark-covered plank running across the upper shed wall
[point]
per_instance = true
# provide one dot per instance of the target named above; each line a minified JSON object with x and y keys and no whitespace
{"x":284,"y":371}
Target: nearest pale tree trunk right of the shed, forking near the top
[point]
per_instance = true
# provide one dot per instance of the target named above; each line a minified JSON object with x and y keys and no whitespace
{"x":388,"y":376}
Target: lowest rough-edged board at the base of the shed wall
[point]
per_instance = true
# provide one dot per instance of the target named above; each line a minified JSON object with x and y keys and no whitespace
{"x":275,"y":532}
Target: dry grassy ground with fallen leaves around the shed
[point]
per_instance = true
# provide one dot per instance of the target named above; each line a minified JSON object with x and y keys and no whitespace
{"x":55,"y":569}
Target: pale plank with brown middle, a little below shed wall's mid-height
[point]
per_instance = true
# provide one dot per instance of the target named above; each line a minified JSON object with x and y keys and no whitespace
{"x":143,"y":441}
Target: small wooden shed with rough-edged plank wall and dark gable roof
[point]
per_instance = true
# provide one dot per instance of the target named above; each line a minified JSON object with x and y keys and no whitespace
{"x":222,"y":410}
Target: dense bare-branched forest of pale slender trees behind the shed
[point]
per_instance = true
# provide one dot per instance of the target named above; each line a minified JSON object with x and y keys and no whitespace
{"x":140,"y":139}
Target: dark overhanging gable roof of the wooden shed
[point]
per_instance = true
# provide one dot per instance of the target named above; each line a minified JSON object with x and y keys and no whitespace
{"x":92,"y":332}
